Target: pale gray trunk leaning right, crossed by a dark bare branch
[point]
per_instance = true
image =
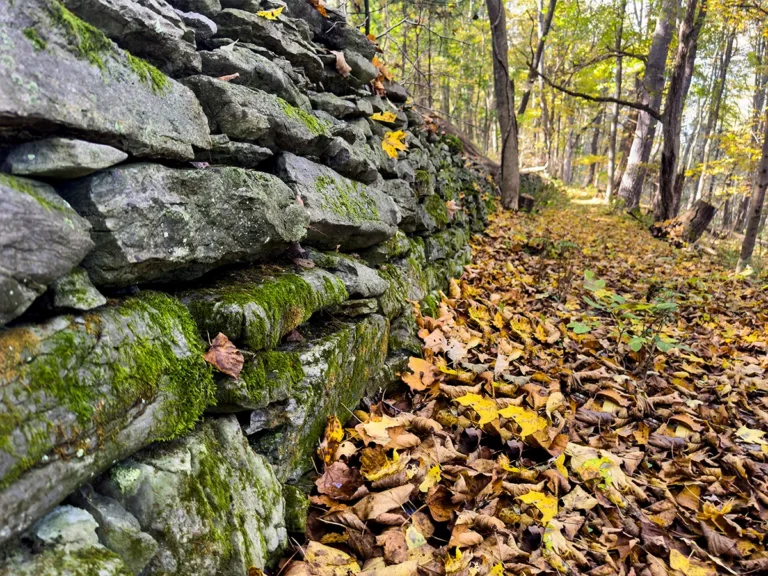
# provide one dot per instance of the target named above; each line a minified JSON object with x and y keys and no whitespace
{"x":631,"y":187}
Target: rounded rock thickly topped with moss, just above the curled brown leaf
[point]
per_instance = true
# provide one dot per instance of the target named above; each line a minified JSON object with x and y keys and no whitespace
{"x":255,"y":308}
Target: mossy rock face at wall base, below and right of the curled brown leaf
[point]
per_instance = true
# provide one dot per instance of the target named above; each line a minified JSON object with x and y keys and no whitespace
{"x":333,"y":368}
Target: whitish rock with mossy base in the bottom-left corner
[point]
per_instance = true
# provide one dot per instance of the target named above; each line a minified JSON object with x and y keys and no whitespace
{"x":65,"y":544}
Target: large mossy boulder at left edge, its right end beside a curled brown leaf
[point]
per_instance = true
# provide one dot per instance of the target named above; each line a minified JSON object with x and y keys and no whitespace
{"x":78,"y":393}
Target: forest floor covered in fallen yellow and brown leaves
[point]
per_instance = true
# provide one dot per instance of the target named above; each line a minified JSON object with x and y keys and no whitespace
{"x":590,"y":400}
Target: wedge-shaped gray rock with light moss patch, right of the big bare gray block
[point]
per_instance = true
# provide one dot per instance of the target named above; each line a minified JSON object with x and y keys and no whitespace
{"x":342,"y":212}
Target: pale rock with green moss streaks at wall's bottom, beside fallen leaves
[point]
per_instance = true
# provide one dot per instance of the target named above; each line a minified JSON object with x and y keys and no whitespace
{"x":213,"y":505}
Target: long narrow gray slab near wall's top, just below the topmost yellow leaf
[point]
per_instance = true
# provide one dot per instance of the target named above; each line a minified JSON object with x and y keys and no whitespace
{"x":272,"y":34}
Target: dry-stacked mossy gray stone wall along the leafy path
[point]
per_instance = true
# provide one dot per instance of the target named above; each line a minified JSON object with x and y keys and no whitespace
{"x":175,"y":169}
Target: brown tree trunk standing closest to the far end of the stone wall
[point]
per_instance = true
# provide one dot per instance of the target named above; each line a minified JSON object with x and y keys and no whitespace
{"x":504,"y":90}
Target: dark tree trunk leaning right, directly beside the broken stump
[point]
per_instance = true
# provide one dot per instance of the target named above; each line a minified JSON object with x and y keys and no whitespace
{"x":680,"y":81}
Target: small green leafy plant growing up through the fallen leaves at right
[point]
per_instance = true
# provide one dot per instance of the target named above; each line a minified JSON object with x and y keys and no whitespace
{"x":639,"y":325}
